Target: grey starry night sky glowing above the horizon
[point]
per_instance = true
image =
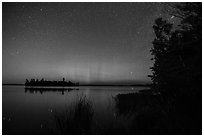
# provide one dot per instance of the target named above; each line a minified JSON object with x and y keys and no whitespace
{"x":85,"y":42}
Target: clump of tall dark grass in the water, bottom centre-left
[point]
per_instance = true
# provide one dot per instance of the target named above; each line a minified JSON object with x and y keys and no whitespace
{"x":75,"y":121}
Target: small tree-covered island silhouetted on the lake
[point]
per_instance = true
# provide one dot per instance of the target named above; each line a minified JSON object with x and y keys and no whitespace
{"x":43,"y":82}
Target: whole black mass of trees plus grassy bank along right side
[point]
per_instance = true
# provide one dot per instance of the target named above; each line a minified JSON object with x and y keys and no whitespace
{"x":173,"y":105}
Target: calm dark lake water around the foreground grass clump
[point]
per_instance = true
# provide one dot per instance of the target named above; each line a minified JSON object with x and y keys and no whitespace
{"x":33,"y":112}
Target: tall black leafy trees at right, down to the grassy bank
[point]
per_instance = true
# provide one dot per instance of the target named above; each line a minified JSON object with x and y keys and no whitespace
{"x":177,"y":54}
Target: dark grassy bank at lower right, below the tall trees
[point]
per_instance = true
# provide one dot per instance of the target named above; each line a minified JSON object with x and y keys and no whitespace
{"x":158,"y":114}
